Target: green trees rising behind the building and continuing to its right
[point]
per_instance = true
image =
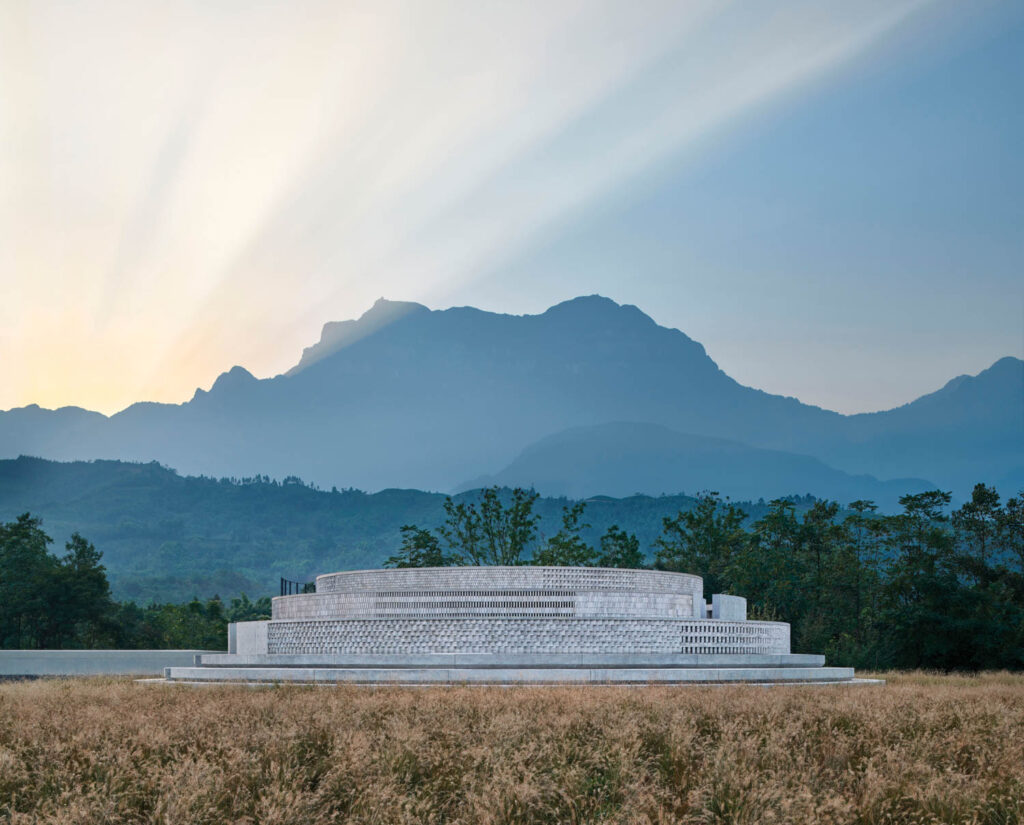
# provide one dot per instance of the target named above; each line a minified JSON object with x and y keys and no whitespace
{"x":920,"y":589}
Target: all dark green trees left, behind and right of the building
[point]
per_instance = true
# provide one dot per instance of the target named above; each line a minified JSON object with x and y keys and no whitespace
{"x":924,"y":588}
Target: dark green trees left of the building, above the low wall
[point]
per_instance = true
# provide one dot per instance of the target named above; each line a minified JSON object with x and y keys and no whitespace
{"x":51,"y":602}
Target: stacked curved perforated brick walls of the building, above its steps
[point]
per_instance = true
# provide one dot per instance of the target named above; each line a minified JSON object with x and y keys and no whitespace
{"x":502,"y":611}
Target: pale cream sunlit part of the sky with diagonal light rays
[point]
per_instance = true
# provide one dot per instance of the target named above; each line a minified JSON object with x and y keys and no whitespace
{"x":191,"y":186}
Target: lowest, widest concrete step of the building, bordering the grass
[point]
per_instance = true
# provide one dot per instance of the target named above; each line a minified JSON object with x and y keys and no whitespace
{"x":498,"y":676}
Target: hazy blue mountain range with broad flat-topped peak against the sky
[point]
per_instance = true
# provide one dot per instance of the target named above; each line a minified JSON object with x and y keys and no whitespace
{"x":410,"y":398}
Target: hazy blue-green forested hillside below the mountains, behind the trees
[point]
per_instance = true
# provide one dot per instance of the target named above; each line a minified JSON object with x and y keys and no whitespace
{"x":169,"y":538}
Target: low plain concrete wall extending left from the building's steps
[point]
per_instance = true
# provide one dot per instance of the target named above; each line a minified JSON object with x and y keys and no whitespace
{"x":94,"y":663}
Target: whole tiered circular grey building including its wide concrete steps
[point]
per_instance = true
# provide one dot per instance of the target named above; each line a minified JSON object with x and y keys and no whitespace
{"x":509,"y":625}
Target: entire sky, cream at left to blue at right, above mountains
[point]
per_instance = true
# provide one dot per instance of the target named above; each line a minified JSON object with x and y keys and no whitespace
{"x":826,"y":195}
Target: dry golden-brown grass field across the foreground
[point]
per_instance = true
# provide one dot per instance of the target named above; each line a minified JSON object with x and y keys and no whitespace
{"x":923,"y":749}
